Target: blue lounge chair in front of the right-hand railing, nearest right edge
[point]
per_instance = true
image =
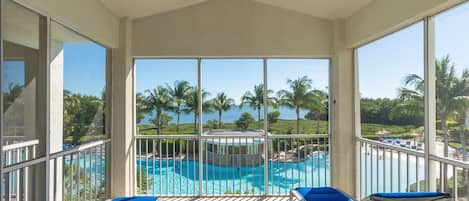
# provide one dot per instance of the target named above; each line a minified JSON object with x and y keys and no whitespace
{"x":410,"y":196}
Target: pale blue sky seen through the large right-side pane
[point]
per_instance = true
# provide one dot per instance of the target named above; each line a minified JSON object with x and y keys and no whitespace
{"x":384,"y":63}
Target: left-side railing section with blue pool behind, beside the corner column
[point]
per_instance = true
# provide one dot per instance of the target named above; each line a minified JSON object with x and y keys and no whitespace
{"x":80,"y":172}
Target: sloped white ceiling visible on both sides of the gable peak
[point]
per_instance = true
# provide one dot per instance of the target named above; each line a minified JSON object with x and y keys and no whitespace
{"x":328,"y":9}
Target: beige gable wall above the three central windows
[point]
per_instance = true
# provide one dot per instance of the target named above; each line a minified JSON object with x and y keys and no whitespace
{"x":231,"y":28}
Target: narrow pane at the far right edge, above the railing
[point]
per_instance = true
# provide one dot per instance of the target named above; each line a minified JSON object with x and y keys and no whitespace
{"x":452,"y":78}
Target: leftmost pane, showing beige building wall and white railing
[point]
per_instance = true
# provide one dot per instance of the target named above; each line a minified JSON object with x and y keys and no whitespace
{"x":23,"y":86}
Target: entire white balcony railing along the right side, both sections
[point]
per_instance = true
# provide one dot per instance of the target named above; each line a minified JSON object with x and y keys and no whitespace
{"x":386,"y":167}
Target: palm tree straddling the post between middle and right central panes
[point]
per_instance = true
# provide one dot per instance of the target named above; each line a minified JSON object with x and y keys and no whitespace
{"x":256,"y":100}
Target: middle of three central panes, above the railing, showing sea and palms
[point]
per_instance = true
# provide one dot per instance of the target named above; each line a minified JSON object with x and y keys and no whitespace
{"x":233,"y":94}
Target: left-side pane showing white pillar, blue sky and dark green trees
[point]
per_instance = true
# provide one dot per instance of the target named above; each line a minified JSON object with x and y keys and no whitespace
{"x":78,"y":69}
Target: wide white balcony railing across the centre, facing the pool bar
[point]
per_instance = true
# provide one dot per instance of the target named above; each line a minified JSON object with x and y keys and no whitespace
{"x":230,"y":165}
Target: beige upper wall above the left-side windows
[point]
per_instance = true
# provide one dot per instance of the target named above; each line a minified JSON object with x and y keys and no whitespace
{"x":89,"y":17}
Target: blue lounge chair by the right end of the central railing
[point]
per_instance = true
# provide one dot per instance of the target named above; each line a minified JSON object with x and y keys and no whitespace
{"x":319,"y":194}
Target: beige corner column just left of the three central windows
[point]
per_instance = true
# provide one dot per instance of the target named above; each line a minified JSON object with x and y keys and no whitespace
{"x":122,"y":150}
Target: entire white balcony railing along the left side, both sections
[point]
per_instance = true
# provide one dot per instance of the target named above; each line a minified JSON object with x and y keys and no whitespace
{"x":78,"y":173}
